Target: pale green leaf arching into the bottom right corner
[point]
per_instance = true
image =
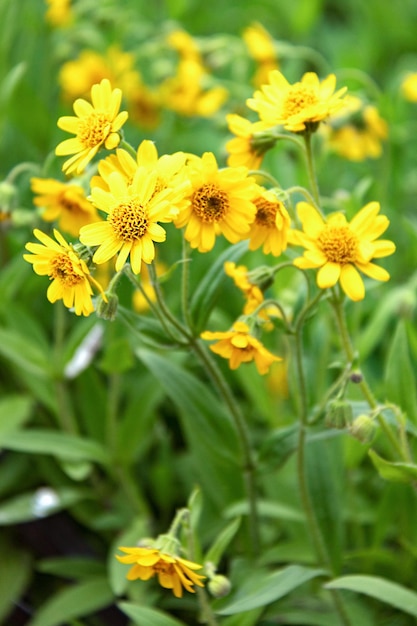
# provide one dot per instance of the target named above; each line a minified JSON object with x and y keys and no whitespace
{"x":384,"y":590}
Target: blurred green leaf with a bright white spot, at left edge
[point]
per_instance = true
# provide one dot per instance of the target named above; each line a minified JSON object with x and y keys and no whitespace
{"x":37,"y":504}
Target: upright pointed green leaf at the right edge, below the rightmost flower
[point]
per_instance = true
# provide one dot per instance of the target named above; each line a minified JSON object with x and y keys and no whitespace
{"x":400,"y":380}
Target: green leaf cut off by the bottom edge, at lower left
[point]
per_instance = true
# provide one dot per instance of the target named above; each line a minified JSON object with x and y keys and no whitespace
{"x":73,"y":602}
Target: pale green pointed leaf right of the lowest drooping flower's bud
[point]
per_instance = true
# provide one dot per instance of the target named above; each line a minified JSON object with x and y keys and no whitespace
{"x":262,"y":590}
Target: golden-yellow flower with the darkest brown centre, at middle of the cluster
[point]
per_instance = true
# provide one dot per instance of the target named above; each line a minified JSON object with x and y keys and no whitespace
{"x":221,"y":203}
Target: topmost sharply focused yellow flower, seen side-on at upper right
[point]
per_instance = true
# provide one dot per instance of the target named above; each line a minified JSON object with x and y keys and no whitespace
{"x":299,"y":106}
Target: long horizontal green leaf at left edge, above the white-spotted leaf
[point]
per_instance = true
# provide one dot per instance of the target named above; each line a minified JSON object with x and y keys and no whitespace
{"x":61,"y":445}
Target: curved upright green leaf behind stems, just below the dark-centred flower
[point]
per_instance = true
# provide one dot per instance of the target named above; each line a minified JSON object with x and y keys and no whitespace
{"x":209,"y":288}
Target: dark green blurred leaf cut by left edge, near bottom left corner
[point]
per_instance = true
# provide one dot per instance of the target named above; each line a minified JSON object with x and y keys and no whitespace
{"x":15,"y":570}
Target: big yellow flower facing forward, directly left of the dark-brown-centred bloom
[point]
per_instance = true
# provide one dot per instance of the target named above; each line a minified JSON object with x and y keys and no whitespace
{"x":131,"y":226}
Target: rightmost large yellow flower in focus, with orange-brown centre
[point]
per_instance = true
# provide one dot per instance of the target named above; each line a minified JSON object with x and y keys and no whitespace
{"x":341,"y":248}
